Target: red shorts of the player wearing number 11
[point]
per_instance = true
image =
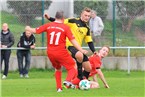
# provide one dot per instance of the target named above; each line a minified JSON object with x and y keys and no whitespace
{"x":61,"y":58}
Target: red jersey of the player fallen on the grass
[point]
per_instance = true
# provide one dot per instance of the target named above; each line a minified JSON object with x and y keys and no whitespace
{"x":95,"y":62}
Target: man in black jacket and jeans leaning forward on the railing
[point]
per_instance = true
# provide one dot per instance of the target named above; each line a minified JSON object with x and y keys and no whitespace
{"x":27,"y":40}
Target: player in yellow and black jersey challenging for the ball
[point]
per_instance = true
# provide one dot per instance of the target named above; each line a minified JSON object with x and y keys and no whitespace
{"x":81,"y":31}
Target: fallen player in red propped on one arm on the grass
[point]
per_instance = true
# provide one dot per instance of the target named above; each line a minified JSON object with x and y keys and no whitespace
{"x":96,"y":62}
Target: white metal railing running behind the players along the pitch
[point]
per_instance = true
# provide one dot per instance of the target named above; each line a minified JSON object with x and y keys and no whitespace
{"x":128,"y":50}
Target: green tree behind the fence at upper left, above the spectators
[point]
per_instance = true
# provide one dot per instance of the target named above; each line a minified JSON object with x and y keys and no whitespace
{"x":27,"y":11}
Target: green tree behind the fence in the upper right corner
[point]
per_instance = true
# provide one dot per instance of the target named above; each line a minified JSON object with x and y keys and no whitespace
{"x":128,"y":11}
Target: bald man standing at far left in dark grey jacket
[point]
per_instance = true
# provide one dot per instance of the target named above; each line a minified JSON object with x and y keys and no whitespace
{"x":6,"y":41}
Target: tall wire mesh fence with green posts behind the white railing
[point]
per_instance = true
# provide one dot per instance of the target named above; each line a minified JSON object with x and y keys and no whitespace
{"x":124,"y":20}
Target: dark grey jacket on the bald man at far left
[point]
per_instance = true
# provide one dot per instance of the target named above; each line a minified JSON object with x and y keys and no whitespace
{"x":7,"y":39}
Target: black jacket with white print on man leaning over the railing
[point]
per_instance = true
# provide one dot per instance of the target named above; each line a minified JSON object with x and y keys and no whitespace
{"x":26,"y":42}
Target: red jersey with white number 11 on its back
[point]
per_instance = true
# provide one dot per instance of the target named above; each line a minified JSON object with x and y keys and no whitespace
{"x":56,"y":34}
